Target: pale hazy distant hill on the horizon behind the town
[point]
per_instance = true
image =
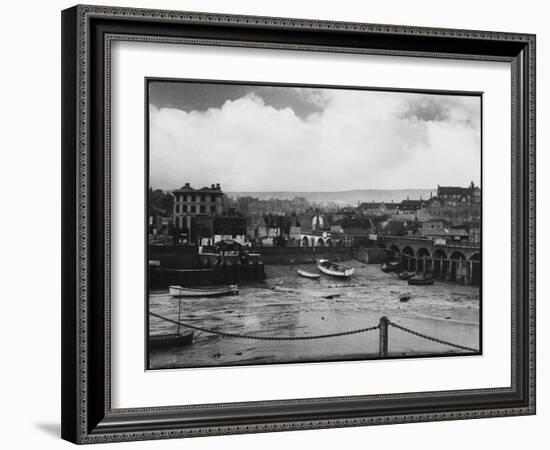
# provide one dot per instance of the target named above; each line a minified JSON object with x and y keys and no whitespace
{"x":343,"y":197}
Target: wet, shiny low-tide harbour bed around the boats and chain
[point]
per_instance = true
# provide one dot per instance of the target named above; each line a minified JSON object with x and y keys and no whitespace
{"x":288,"y":305}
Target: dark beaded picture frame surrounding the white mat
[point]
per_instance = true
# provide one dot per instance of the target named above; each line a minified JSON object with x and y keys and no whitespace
{"x":87,"y":33}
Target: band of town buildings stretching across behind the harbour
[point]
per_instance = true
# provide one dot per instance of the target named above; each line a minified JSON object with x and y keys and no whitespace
{"x":200,"y":214}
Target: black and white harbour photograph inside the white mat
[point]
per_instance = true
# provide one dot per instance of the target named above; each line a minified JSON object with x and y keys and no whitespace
{"x":302,"y":223}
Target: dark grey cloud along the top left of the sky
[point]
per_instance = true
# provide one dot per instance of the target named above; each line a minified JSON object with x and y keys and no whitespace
{"x":190,"y":96}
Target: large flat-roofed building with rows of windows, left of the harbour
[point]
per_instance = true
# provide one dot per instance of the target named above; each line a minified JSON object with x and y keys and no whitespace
{"x":190,"y":203}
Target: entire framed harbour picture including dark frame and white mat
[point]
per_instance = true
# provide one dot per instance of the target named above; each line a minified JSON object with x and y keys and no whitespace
{"x":279,"y":224}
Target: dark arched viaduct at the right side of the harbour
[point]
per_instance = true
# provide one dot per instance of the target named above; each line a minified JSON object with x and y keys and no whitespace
{"x":453,"y":261}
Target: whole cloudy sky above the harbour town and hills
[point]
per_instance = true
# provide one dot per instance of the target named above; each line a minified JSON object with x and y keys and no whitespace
{"x":277,"y":138}
